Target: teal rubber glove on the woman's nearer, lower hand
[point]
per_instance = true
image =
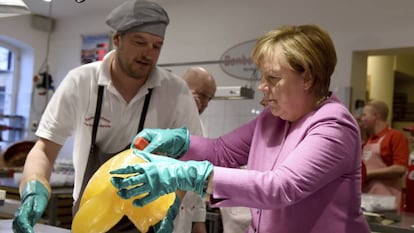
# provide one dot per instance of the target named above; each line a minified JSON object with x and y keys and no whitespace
{"x":162,"y":175}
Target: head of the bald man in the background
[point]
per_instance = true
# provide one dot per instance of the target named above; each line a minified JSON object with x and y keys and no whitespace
{"x":202,"y":85}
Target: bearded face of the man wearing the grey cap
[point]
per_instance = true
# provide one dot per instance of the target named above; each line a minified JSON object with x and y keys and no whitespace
{"x":137,"y":53}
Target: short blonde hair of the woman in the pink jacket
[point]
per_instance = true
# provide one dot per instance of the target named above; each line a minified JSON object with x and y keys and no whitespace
{"x":306,"y":48}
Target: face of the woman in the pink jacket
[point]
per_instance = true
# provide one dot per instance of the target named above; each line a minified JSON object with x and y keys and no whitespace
{"x":283,"y":88}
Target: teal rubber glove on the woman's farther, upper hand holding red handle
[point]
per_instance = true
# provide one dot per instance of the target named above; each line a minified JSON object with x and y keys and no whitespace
{"x":171,"y":142}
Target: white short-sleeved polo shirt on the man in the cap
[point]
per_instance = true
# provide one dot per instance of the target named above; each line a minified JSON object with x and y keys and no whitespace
{"x":72,"y":108}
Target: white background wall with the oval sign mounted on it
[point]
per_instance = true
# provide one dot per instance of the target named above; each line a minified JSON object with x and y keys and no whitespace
{"x":203,"y":30}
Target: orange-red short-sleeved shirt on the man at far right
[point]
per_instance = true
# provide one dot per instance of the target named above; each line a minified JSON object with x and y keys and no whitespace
{"x":394,"y":146}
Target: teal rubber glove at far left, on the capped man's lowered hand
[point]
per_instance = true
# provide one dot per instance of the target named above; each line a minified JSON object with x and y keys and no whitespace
{"x":34,"y":196}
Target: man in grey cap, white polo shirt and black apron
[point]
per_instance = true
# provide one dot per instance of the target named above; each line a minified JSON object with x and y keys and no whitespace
{"x":101,"y":104}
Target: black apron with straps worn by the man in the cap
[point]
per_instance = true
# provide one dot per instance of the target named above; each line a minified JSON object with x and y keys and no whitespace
{"x":97,"y":158}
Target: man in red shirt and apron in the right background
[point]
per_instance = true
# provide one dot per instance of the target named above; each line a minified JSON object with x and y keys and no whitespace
{"x":385,"y":153}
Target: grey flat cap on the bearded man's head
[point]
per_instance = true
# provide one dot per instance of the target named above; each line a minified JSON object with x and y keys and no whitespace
{"x":139,"y":16}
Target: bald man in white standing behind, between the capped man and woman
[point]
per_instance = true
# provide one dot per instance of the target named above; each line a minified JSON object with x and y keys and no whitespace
{"x":193,"y":208}
